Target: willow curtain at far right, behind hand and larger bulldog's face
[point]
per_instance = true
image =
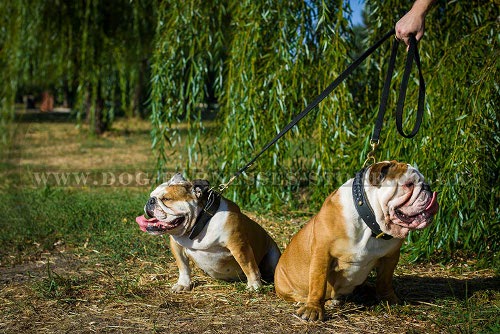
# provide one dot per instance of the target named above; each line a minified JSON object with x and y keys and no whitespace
{"x":457,"y":147}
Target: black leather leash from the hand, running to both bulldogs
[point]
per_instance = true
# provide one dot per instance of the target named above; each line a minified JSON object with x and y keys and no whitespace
{"x":412,"y":55}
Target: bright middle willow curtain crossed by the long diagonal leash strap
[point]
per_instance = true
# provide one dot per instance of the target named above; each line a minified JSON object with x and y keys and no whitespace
{"x":279,"y":60}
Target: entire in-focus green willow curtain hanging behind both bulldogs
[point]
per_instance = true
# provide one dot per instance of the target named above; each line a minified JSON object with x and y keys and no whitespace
{"x":271,"y":58}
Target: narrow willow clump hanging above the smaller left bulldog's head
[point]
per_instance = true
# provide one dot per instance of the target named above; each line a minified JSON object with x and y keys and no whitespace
{"x":186,"y":71}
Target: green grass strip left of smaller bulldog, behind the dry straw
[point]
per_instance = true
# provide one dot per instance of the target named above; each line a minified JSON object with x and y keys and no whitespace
{"x":99,"y":219}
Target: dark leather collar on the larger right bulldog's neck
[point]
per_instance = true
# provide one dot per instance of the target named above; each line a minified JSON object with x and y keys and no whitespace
{"x":363,"y":206}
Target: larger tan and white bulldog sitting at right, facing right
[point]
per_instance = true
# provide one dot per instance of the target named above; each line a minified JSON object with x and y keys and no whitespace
{"x":336,"y":250}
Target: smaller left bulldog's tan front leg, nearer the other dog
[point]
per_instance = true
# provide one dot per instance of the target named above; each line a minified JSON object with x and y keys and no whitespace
{"x":243,"y":254}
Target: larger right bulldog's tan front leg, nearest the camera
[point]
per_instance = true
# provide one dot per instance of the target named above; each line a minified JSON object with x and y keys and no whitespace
{"x":314,"y":308}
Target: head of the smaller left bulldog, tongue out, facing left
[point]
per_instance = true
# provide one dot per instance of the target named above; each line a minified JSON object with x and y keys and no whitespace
{"x":173,"y":206}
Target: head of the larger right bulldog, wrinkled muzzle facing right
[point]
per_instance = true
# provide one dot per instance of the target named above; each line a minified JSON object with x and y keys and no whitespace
{"x":400,"y":198}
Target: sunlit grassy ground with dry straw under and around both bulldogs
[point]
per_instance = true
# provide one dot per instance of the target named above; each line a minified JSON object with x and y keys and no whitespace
{"x":73,"y":260}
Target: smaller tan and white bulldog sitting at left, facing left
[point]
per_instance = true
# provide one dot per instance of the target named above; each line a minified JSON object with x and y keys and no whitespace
{"x":229,"y":247}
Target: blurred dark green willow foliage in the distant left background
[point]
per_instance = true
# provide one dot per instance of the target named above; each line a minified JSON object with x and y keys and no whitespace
{"x":94,"y":51}
